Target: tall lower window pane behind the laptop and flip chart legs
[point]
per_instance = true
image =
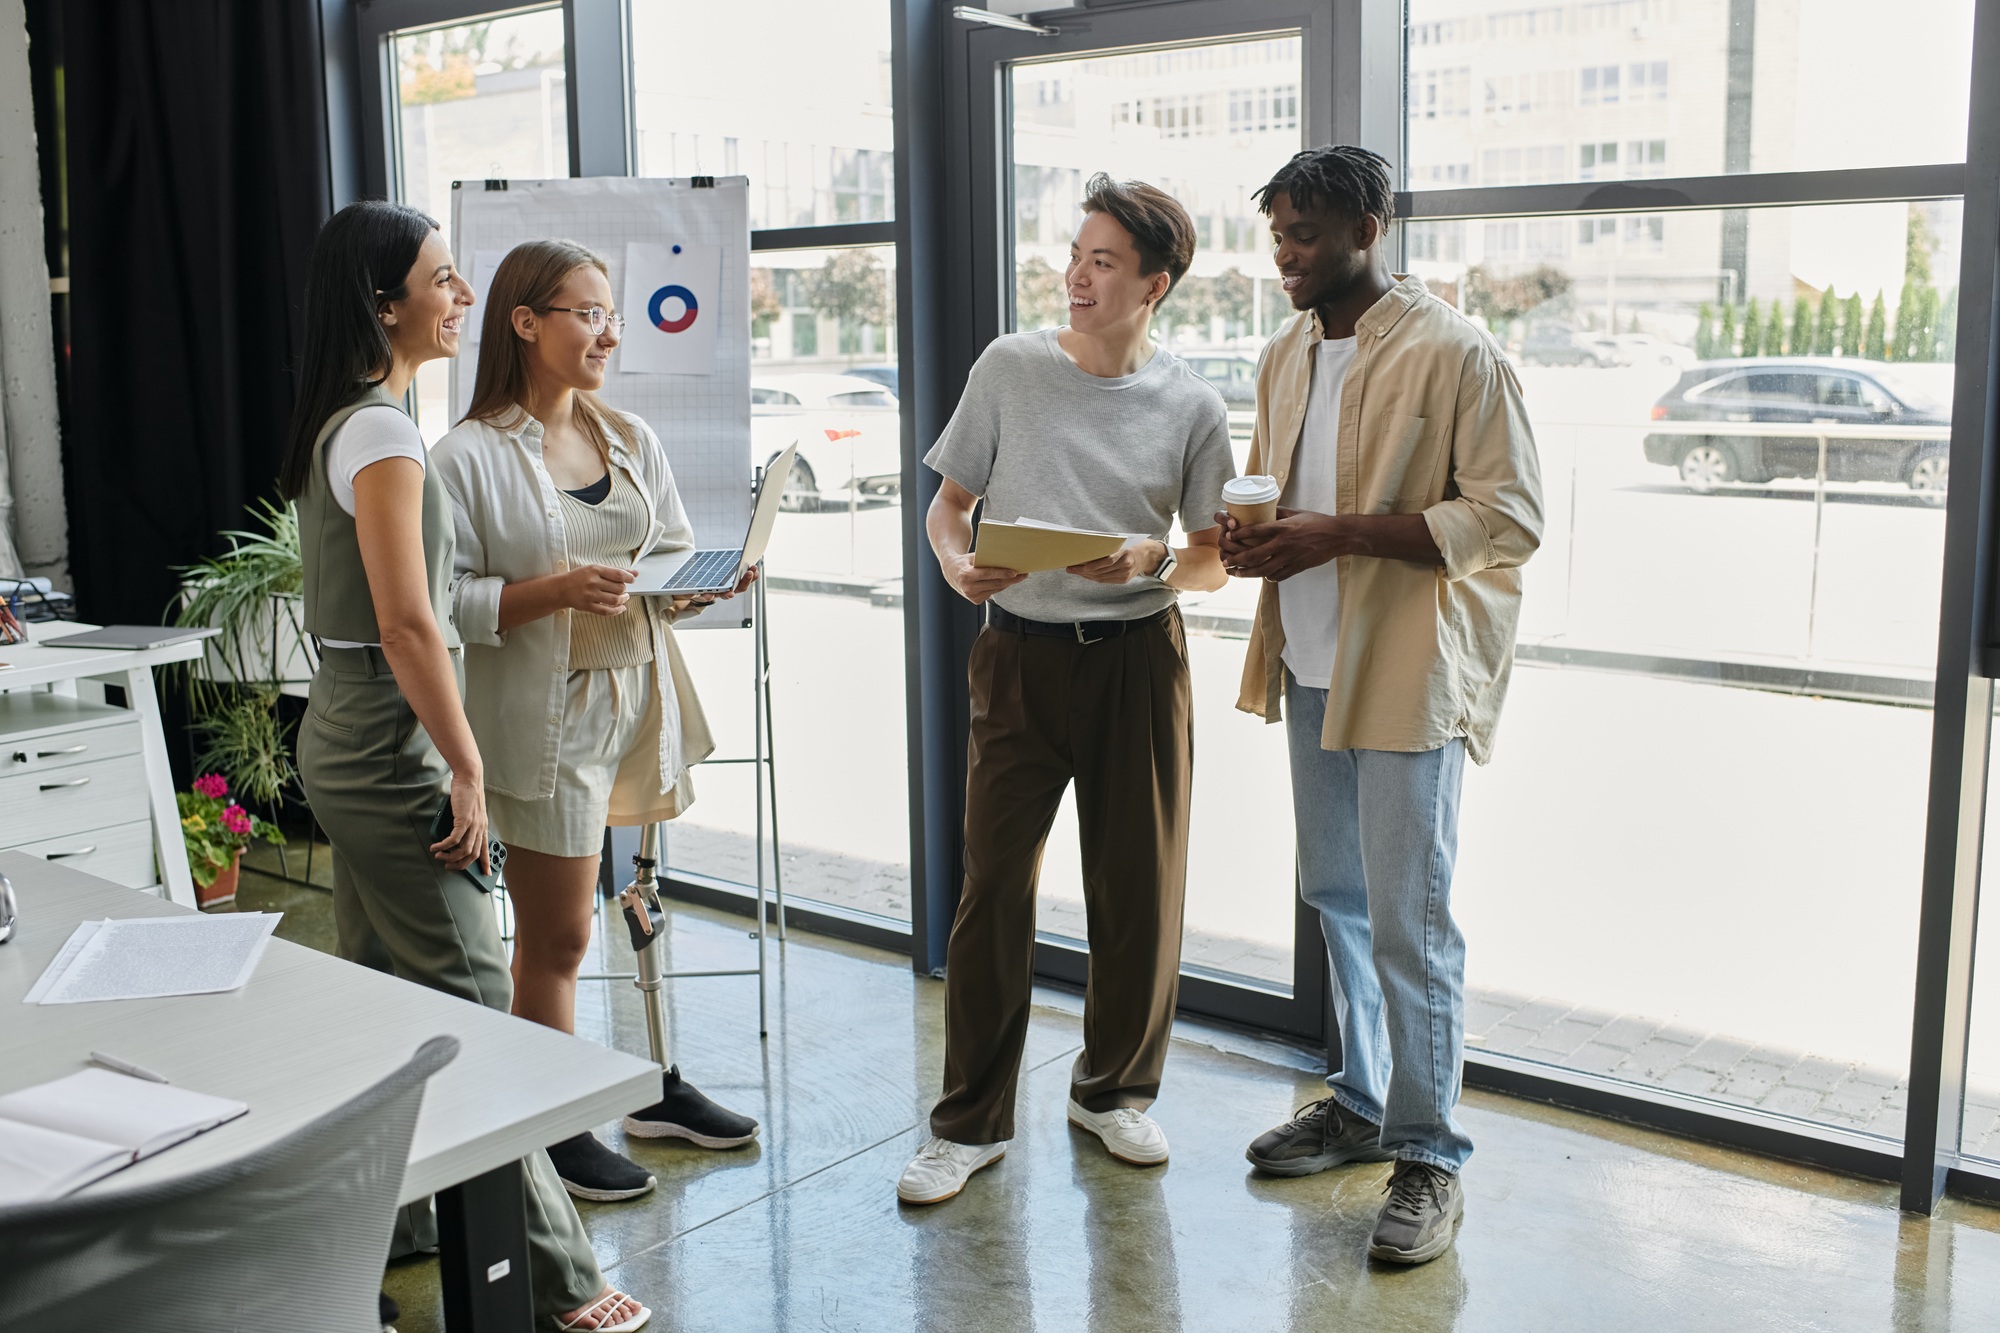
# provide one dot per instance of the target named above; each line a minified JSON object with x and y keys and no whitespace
{"x":823,"y":377}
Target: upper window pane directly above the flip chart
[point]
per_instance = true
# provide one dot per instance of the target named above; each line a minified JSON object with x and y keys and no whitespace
{"x":803,"y":111}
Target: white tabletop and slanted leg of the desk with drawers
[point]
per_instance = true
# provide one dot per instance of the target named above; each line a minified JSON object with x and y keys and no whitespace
{"x":49,"y":665}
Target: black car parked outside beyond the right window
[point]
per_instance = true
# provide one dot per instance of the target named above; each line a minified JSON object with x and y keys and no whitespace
{"x":1791,"y":389}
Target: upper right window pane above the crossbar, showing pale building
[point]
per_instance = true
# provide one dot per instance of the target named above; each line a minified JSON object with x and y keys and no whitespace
{"x":1513,"y":93}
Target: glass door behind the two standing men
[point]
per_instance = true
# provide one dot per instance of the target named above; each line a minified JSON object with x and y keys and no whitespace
{"x":1203,"y":101}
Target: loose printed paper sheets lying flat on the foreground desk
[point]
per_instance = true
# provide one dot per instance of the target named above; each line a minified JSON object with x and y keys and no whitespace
{"x":147,"y":958}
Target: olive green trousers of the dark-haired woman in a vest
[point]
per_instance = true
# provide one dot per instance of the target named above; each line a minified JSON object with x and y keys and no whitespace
{"x":375,"y":782}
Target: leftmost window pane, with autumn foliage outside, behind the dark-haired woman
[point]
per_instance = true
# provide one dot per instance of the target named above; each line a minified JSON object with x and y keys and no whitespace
{"x":477,"y":101}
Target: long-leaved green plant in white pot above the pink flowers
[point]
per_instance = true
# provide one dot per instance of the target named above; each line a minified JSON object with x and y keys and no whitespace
{"x":253,"y":595}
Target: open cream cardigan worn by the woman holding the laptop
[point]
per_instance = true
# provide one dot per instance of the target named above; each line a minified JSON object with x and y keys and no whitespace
{"x":509,"y":525}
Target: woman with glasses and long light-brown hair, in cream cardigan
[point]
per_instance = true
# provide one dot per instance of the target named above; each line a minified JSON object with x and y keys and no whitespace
{"x":575,"y":690}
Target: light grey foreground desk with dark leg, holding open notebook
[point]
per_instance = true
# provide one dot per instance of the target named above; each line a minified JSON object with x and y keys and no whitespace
{"x":305,"y":1036}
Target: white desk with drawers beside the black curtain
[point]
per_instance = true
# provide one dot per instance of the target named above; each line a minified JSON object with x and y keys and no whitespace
{"x":77,"y":680}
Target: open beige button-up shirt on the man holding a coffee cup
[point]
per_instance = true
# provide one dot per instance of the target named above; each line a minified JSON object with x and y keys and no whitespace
{"x":1431,"y":423}
